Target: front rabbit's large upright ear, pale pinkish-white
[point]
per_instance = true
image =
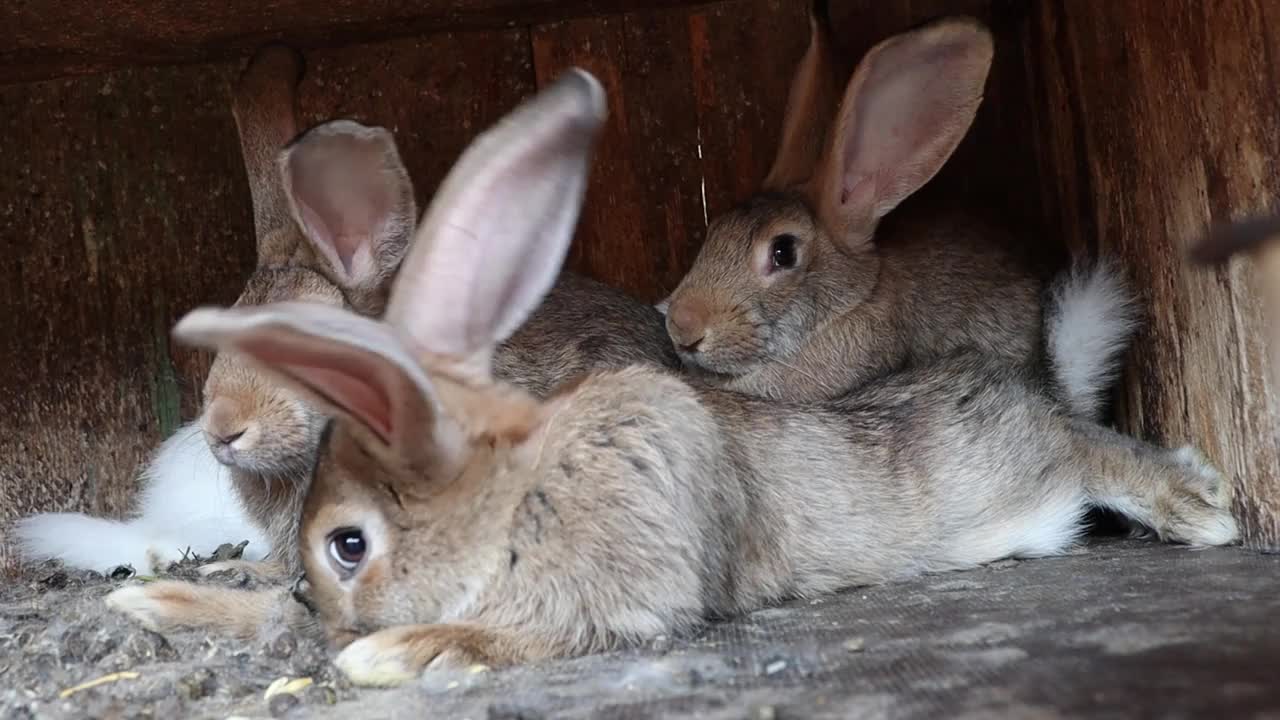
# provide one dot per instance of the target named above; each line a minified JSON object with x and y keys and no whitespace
{"x":495,"y":239}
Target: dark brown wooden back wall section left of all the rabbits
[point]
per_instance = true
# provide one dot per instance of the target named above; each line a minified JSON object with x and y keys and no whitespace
{"x":125,"y":204}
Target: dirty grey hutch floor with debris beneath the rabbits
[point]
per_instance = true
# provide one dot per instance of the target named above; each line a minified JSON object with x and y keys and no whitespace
{"x":1121,"y":630}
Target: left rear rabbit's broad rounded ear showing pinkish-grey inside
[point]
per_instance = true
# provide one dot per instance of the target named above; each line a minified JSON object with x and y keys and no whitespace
{"x":351,"y":195}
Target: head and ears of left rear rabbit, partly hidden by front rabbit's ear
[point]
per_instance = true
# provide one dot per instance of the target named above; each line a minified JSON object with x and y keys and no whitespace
{"x":333,"y":211}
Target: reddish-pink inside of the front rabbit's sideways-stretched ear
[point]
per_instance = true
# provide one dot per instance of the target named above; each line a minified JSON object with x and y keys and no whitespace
{"x":344,"y":381}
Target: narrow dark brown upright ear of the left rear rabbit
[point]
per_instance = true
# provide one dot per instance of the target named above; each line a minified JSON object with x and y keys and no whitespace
{"x":266,"y":108}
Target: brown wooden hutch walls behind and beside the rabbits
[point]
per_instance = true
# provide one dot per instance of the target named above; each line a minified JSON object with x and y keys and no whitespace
{"x":1108,"y":126}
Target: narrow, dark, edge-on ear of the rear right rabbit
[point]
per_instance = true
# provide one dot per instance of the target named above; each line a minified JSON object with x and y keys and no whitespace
{"x":811,"y":107}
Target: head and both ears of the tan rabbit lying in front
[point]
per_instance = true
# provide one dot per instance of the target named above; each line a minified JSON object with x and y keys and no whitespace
{"x":399,"y":523}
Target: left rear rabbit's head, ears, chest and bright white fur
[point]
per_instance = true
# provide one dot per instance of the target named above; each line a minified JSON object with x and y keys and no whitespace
{"x":333,"y":216}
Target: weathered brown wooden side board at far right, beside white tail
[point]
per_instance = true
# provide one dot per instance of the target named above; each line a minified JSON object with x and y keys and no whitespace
{"x":1155,"y":126}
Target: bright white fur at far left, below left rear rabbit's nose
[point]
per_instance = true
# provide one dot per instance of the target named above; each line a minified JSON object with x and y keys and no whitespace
{"x":189,"y":504}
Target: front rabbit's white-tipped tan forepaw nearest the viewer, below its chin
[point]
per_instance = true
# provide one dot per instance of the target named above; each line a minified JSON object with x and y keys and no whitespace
{"x":397,"y":655}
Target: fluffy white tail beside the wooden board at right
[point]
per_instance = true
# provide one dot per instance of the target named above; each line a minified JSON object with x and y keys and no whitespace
{"x":1090,"y":320}
